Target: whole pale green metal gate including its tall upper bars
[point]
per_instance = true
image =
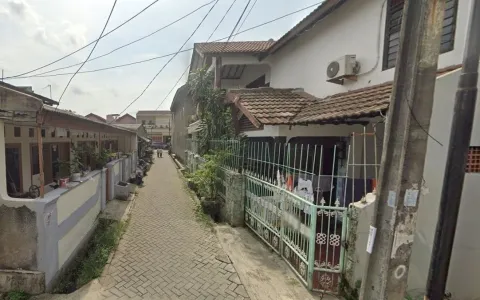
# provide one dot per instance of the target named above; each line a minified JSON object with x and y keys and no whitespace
{"x":307,"y":230}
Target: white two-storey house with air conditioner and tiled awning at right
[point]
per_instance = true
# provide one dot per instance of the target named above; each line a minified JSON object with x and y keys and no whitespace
{"x":329,"y":79}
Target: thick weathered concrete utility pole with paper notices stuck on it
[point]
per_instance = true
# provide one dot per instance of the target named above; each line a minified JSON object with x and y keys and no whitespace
{"x":406,"y":136}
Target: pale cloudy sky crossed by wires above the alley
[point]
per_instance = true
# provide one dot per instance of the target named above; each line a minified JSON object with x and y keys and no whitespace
{"x":37,"y":32}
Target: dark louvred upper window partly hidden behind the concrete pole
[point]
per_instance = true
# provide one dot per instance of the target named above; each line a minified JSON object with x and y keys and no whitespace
{"x":394,"y":23}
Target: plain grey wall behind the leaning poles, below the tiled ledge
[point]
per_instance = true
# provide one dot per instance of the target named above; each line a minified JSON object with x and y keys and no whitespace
{"x":465,"y":262}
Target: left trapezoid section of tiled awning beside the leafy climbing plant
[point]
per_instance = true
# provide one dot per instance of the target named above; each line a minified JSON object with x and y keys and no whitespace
{"x":268,"y":105}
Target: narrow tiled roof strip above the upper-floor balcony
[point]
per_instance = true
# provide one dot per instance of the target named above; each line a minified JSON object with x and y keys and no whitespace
{"x":235,"y":47}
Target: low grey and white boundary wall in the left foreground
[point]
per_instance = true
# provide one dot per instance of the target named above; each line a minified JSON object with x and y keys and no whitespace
{"x":49,"y":232}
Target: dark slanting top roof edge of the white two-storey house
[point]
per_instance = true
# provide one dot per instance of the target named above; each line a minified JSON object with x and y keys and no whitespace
{"x":325,"y":9}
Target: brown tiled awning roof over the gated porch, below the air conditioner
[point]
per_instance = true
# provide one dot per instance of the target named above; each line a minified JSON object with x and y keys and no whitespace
{"x":273,"y":106}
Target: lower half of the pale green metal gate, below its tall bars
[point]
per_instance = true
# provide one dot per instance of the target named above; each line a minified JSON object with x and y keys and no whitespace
{"x":301,"y":232}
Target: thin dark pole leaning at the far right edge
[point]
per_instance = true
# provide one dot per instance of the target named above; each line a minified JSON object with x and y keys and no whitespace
{"x":461,"y":131}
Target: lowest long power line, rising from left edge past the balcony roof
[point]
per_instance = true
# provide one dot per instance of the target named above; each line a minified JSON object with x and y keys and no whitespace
{"x":167,"y":55}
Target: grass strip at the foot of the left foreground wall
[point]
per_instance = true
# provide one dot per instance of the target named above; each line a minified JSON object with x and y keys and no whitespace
{"x":90,"y":265}
